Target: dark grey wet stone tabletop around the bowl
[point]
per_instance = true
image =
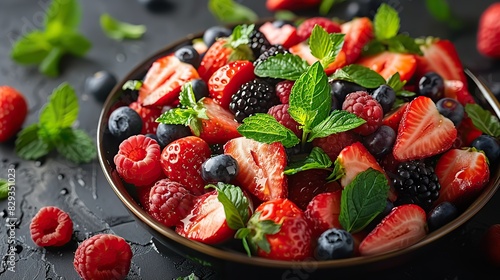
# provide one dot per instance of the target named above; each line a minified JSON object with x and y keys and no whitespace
{"x":83,"y":191}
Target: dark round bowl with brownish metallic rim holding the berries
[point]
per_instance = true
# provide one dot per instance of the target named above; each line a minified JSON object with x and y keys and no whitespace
{"x":229,"y":261}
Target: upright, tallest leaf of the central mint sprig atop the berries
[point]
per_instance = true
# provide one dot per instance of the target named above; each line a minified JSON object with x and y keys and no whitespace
{"x":310,"y":100}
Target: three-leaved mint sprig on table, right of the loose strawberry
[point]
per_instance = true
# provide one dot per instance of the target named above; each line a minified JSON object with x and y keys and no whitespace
{"x":54,"y":130}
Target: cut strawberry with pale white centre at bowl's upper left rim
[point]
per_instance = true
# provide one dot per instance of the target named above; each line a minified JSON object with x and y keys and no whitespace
{"x":164,"y":80}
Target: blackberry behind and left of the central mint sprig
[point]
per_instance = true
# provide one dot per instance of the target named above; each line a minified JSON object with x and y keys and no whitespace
{"x":255,"y":96}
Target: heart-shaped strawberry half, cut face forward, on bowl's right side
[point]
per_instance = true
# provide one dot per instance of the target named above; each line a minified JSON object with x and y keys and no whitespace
{"x":423,"y":131}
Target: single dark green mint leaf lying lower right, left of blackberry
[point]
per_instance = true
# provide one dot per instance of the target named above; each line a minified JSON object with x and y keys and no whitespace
{"x":363,"y":199}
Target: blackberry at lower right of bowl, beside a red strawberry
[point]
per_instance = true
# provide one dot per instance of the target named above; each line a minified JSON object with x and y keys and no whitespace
{"x":416,"y":183}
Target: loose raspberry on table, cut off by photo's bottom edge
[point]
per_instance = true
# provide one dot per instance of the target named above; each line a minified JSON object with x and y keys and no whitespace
{"x":103,"y":256}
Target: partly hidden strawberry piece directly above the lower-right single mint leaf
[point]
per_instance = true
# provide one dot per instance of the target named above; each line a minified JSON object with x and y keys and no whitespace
{"x":354,"y":159}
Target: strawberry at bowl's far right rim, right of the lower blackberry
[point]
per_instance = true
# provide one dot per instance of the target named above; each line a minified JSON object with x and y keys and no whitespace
{"x":462,"y":175}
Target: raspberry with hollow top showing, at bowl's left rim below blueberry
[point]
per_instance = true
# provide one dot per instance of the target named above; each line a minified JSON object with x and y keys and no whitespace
{"x":138,"y":160}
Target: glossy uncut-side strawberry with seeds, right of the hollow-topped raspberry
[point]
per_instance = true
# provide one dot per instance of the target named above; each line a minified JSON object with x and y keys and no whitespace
{"x":181,"y":161}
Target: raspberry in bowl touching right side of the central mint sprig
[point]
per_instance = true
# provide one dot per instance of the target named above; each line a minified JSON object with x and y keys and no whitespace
{"x":366,"y":107}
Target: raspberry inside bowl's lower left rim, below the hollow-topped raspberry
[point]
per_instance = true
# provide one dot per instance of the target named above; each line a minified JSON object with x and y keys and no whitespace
{"x":169,"y":202}
